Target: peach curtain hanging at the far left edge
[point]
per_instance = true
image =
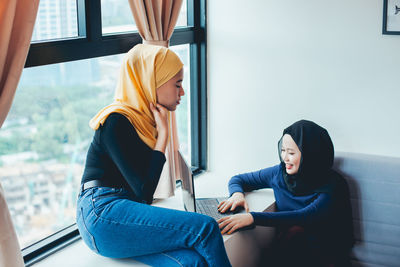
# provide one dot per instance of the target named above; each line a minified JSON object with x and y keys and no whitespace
{"x":17,"y":18}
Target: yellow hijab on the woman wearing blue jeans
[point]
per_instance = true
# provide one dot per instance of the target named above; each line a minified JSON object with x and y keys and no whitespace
{"x":145,"y":68}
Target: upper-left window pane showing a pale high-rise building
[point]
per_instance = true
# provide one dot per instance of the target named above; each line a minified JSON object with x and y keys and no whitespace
{"x":56,"y":19}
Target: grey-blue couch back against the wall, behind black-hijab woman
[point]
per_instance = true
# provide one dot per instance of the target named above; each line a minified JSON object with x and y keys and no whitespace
{"x":374,"y":183}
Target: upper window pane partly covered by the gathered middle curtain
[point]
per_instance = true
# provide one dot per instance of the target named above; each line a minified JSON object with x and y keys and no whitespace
{"x":117,"y":17}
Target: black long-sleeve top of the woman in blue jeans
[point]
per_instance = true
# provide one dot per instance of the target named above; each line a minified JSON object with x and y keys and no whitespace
{"x":119,"y":158}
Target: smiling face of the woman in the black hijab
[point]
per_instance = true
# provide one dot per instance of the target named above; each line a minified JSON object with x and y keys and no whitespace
{"x":290,"y":155}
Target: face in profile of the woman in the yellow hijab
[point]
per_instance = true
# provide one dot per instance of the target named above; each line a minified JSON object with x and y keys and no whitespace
{"x":169,"y":94}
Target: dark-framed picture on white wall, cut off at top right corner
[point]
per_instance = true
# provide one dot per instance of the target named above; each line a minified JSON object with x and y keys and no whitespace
{"x":391,"y":17}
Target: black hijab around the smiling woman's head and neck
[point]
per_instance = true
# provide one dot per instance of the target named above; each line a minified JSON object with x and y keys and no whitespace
{"x":317,"y":154}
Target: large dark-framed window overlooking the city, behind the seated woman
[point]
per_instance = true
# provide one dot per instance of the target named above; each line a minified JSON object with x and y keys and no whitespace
{"x":71,"y":73}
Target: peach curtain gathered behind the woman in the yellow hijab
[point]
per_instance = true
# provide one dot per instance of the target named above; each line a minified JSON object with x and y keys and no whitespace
{"x":156,"y":20}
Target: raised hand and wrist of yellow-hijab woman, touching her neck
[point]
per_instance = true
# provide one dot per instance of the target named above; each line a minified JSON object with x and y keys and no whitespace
{"x":160,"y":114}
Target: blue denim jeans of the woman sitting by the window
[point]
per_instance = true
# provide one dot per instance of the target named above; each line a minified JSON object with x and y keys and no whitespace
{"x":113,"y":225}
